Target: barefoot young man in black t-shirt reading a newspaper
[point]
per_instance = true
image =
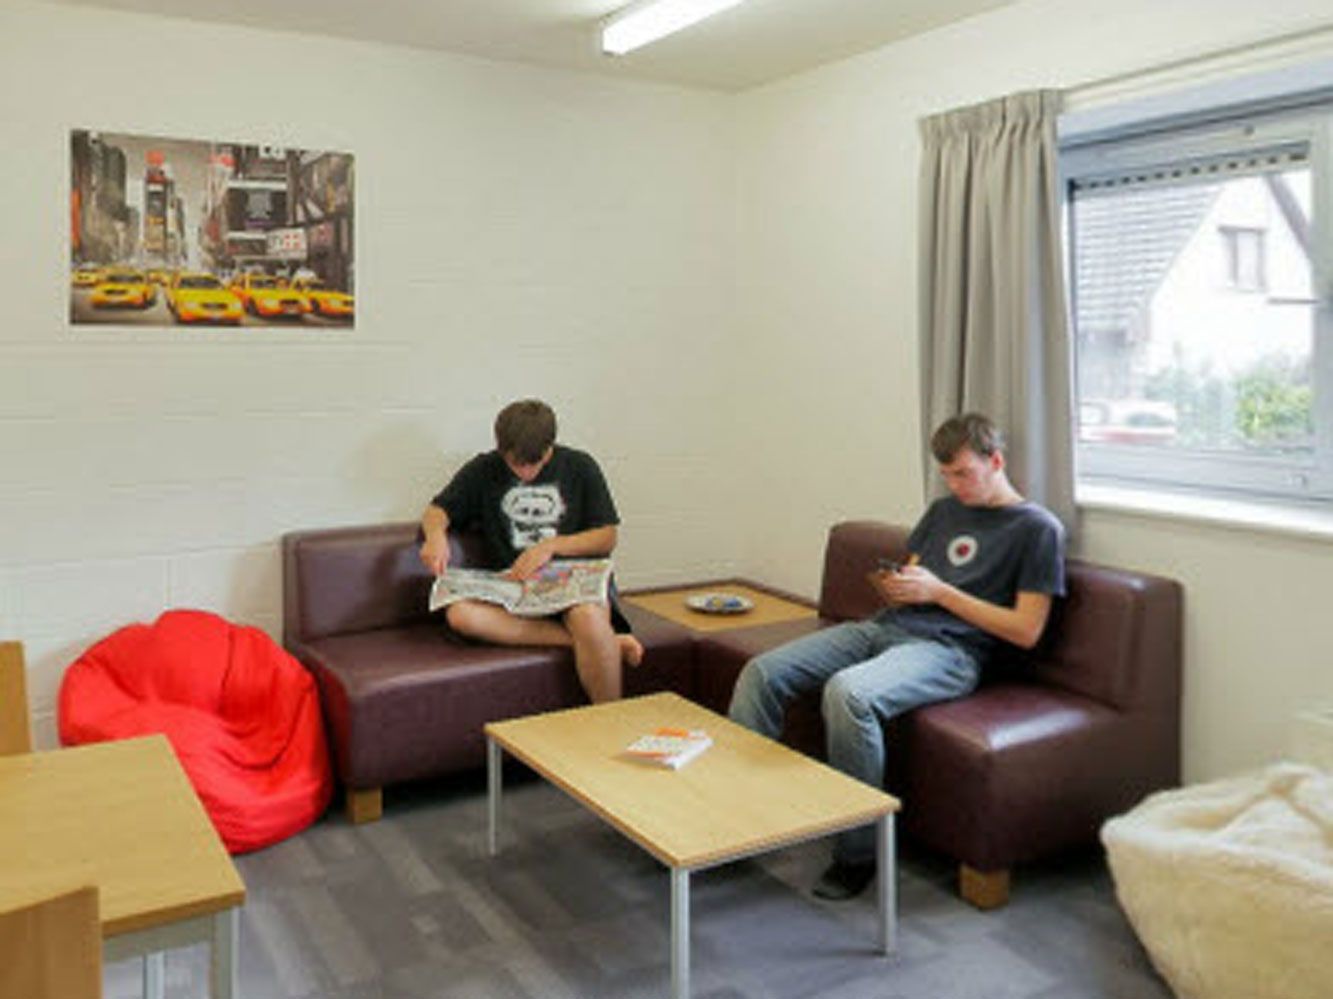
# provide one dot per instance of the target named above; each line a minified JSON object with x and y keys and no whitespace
{"x":533,"y":501}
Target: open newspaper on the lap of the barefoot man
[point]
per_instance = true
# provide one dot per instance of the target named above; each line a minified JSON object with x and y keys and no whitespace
{"x":559,"y":585}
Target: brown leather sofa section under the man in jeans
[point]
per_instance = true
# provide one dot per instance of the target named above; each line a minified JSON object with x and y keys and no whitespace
{"x":1050,"y":746}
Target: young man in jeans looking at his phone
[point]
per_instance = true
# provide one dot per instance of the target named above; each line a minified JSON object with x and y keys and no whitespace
{"x":983,"y":569}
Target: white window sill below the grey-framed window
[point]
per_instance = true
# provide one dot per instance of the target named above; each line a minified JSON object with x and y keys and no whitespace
{"x":1299,"y":521}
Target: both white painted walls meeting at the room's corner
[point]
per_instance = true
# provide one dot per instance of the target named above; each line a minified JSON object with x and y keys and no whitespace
{"x":676,"y":271}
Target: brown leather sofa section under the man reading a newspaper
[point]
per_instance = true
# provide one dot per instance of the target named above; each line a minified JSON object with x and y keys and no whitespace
{"x":403,"y":697}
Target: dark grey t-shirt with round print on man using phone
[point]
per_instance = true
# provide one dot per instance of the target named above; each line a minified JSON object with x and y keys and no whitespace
{"x":991,"y":553}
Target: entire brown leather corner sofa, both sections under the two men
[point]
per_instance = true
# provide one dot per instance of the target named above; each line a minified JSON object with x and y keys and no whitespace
{"x":1031,"y":764}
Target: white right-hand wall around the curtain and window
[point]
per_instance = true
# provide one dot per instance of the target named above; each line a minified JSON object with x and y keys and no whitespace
{"x":827,"y":301}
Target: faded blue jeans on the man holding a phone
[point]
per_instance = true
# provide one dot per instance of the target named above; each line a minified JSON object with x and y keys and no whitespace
{"x":870,"y":672}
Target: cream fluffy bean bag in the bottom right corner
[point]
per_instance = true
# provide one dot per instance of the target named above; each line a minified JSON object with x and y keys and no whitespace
{"x":1230,"y":885}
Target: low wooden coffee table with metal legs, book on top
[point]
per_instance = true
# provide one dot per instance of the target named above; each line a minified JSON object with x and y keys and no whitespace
{"x":746,"y":796}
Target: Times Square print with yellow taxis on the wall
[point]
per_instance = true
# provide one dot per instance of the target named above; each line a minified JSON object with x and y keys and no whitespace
{"x":177,"y":233}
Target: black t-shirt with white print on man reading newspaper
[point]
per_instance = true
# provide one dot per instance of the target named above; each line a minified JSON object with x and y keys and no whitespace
{"x":567,"y":497}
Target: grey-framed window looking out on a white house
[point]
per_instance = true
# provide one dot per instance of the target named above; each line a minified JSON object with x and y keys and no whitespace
{"x":1199,"y":273}
